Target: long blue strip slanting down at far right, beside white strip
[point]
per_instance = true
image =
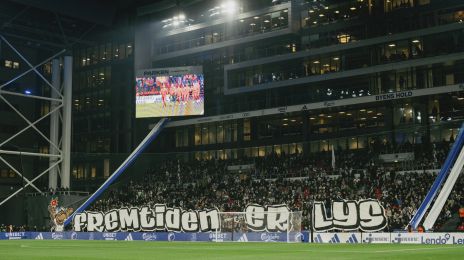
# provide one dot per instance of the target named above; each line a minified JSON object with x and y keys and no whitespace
{"x":452,"y":155}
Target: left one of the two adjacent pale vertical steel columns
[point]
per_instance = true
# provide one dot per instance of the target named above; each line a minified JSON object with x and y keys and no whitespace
{"x":54,"y":124}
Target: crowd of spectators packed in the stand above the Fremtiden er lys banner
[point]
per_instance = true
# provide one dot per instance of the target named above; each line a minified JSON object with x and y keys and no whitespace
{"x":294,"y":180}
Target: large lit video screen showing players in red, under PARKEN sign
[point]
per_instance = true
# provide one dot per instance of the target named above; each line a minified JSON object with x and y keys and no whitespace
{"x":169,"y":92}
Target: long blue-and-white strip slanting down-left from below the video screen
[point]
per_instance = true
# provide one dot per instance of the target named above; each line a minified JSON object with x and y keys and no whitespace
{"x":129,"y":160}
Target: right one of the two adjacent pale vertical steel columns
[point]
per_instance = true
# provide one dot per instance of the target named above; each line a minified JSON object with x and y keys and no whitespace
{"x":67,"y":106}
